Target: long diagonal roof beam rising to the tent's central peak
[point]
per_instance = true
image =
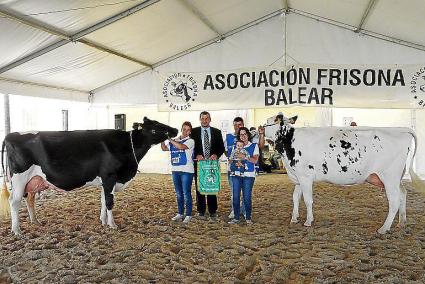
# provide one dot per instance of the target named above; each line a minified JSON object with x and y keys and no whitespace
{"x":193,"y":49}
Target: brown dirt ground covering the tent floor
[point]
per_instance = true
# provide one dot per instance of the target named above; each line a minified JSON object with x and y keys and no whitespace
{"x":342,"y":246}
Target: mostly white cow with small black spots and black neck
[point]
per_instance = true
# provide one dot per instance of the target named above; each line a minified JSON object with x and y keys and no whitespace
{"x":346,"y":156}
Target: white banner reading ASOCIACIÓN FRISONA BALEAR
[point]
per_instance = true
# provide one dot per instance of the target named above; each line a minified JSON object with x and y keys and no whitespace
{"x":390,"y":86}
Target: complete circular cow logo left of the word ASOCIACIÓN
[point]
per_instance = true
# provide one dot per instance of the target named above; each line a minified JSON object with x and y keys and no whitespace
{"x":179,"y":91}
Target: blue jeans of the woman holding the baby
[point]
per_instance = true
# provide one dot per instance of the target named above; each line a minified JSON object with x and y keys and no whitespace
{"x":246,"y":184}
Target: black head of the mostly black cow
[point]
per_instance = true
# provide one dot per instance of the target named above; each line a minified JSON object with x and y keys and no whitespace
{"x":156,"y":131}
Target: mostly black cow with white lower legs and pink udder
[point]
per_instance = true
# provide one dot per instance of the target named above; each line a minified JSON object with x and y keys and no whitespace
{"x":68,"y":160}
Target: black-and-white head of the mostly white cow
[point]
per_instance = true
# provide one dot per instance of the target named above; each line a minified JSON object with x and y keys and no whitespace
{"x":285,"y":132}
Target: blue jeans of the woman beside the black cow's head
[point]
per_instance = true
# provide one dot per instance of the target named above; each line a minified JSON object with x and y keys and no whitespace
{"x":183,"y":186}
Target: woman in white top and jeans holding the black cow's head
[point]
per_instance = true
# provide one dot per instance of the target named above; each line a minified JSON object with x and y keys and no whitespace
{"x":181,"y":151}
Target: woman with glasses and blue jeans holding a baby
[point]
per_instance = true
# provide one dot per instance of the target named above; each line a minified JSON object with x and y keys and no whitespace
{"x":245,"y":182}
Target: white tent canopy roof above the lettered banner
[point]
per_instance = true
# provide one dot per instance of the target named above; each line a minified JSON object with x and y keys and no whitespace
{"x":80,"y":47}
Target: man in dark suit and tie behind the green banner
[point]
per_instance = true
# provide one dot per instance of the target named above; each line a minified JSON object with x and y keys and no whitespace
{"x":208,"y":145}
